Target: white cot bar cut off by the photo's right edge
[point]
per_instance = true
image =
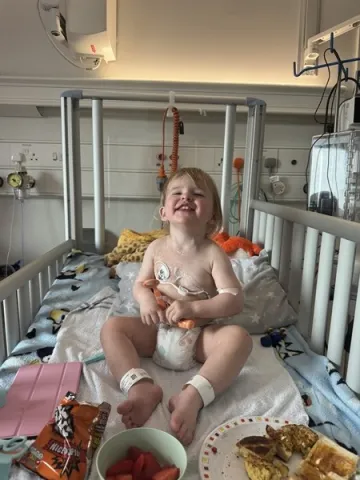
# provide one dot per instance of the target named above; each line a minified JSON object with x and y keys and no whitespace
{"x":352,"y":375}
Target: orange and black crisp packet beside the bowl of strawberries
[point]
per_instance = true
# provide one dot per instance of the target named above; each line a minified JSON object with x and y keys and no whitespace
{"x":66,"y":445}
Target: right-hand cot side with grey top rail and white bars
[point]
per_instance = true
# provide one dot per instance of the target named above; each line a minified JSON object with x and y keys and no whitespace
{"x":293,"y":238}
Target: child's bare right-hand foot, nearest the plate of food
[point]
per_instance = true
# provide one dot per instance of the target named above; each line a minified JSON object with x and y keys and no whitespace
{"x":184,"y":409}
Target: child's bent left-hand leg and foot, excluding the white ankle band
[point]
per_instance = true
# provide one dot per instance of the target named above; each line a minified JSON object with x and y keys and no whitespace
{"x":124,"y":339}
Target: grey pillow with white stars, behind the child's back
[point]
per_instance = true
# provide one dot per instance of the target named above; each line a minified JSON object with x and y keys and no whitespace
{"x":265,"y":306}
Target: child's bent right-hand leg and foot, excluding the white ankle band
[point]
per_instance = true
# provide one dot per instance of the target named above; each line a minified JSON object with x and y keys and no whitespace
{"x":224,"y":350}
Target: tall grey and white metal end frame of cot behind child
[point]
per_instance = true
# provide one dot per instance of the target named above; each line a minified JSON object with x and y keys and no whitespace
{"x":70,"y":121}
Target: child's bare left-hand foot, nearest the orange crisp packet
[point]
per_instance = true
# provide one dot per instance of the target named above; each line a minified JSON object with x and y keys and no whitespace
{"x":142,"y":400}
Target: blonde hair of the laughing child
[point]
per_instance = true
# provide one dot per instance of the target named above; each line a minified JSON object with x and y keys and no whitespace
{"x":201,"y":179}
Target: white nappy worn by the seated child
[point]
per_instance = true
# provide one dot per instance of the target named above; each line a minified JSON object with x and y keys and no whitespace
{"x":175,"y":347}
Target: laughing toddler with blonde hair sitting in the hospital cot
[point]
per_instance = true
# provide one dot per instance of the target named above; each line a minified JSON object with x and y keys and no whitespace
{"x":197,"y":280}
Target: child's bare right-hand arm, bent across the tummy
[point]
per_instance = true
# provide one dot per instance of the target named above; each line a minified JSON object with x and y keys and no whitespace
{"x":224,"y":304}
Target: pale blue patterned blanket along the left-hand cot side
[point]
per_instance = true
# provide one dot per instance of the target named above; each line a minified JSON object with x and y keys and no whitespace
{"x":82,"y":275}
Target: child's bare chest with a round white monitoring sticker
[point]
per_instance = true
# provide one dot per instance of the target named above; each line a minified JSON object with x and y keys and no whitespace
{"x":184,"y":276}
